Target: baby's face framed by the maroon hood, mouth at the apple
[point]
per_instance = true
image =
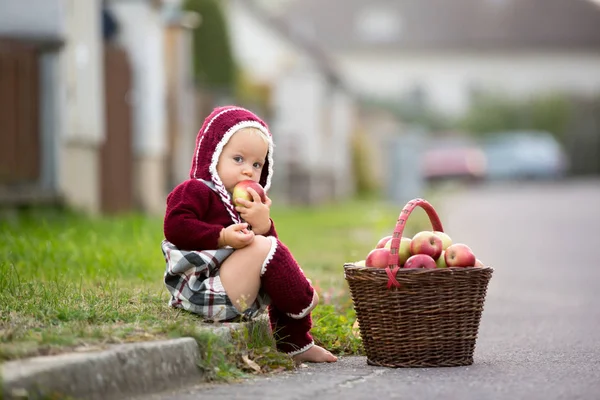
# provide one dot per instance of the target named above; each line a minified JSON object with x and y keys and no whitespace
{"x":242,"y":158}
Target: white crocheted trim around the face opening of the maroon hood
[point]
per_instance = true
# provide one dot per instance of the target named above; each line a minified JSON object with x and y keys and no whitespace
{"x":212,"y":169}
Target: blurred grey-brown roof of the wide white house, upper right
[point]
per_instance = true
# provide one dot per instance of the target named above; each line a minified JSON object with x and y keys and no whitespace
{"x":446,"y":24}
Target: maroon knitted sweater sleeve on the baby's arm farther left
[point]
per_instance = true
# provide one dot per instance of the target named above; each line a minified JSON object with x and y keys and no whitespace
{"x":189,"y":218}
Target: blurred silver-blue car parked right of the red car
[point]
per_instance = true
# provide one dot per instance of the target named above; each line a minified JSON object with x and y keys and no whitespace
{"x":519,"y":155}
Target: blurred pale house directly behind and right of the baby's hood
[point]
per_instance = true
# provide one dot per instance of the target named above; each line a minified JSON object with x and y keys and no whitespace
{"x":312,"y":113}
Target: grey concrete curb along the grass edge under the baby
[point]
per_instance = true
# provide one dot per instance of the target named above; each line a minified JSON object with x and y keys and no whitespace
{"x":121,"y":371}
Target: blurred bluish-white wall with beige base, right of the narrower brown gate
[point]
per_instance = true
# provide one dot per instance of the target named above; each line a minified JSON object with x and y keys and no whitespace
{"x":142,"y":35}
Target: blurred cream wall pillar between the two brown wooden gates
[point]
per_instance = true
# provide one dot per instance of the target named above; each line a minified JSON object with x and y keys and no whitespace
{"x":82,"y":78}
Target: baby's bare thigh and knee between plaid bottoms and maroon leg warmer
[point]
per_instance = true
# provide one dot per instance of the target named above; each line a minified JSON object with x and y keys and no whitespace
{"x":240,"y":272}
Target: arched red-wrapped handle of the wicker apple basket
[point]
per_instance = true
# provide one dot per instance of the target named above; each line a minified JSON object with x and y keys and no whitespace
{"x":436,"y":224}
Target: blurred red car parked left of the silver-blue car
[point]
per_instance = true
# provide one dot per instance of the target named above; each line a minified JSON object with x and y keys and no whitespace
{"x":454,"y":159}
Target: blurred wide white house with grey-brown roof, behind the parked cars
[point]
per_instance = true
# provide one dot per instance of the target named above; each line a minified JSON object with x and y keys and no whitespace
{"x":444,"y":50}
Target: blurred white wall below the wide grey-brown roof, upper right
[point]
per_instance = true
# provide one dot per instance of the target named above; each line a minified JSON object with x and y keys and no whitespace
{"x":447,"y":79}
